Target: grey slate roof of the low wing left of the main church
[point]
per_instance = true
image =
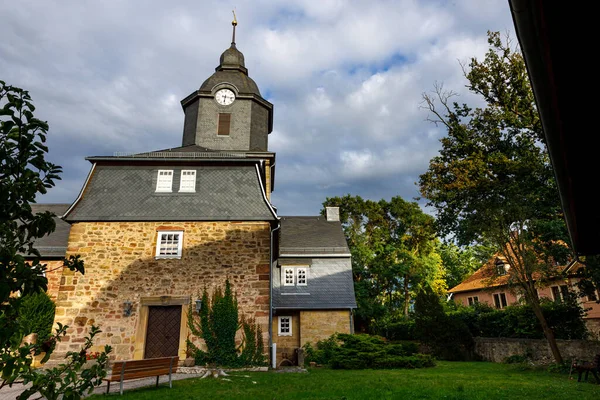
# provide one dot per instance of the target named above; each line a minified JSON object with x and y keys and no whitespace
{"x":55,"y":244}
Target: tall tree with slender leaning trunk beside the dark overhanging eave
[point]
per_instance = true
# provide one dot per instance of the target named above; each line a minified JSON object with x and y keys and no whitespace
{"x":493,"y":181}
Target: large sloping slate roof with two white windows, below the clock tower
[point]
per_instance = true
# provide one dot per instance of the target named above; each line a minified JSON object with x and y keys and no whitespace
{"x":127,"y":193}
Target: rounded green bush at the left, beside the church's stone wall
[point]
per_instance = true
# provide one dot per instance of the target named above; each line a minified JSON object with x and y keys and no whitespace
{"x":36,"y":315}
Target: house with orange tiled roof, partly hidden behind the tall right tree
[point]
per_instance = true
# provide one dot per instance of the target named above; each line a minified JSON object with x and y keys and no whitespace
{"x":489,"y":285}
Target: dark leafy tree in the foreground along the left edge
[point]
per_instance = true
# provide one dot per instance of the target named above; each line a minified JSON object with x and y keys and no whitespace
{"x":25,"y":173}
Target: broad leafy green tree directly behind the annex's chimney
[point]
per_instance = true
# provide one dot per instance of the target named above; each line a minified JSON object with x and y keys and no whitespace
{"x":393,"y":247}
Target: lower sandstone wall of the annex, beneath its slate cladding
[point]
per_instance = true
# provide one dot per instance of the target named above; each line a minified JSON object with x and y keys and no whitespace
{"x":318,"y":325}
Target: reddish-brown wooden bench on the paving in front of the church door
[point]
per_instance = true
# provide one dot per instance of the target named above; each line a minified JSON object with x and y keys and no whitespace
{"x":135,"y":369}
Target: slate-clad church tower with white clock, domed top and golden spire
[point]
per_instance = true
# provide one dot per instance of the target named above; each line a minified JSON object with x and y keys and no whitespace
{"x":228,"y":112}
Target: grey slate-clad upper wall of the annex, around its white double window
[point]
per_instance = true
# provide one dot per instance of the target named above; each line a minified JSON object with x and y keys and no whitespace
{"x":329,"y":285}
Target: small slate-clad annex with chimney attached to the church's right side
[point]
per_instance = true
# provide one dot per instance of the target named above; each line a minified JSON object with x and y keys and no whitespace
{"x":313,"y":294}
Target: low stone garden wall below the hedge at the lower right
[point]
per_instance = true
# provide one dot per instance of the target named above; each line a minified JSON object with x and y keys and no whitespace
{"x":498,"y":349}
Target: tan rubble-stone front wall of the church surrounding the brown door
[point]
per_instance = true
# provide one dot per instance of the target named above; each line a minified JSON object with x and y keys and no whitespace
{"x":120,"y":266}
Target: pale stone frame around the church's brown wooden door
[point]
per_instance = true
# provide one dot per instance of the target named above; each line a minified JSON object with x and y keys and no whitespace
{"x":142,"y":323}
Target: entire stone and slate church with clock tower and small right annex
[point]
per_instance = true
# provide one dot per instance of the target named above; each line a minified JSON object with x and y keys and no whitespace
{"x":156,"y":228}
